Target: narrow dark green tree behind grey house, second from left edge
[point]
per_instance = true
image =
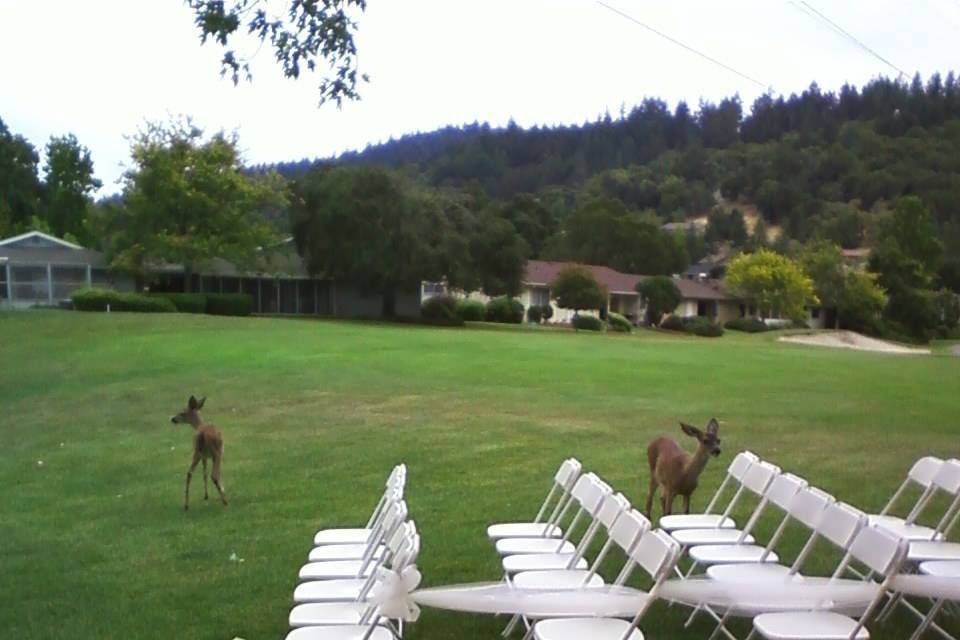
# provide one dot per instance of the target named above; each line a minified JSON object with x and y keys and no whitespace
{"x":69,"y":187}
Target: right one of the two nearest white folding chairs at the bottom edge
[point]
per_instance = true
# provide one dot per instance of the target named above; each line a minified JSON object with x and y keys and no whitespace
{"x":882,"y":552}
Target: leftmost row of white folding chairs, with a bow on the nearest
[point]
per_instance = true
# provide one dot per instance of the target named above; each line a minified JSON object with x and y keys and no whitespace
{"x":334,"y":599}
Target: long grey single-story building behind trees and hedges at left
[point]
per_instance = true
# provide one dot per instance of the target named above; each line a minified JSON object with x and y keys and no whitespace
{"x":37,"y":269}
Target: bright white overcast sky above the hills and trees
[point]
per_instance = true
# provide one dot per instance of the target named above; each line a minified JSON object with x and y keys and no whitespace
{"x":100,"y":68}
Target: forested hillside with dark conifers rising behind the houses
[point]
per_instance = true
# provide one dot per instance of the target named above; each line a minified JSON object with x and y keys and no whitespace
{"x":817,"y":164}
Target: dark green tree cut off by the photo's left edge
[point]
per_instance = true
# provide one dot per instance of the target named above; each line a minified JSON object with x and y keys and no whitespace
{"x":20,"y":189}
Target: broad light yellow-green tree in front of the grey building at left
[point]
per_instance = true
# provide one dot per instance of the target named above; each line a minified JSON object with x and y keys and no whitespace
{"x":188,"y":199}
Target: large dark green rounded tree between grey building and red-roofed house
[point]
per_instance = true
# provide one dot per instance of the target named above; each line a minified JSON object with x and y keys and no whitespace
{"x":367,"y":227}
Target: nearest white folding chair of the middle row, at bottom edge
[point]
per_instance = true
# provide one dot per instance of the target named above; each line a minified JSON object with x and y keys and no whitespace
{"x":656,"y":554}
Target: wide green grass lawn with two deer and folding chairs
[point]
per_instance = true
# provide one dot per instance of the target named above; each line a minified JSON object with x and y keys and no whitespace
{"x":94,"y":542}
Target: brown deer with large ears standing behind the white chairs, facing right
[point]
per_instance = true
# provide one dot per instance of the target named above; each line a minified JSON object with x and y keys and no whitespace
{"x":675,"y":470}
